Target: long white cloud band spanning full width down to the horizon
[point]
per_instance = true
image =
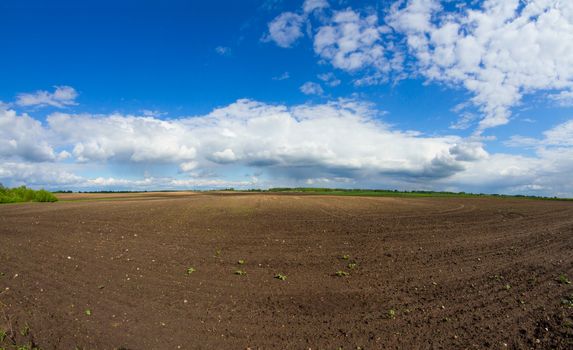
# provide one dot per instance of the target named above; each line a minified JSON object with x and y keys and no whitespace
{"x":337,"y":143}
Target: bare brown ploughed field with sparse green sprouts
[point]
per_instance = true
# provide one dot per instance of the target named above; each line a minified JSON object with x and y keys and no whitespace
{"x":430,"y":273}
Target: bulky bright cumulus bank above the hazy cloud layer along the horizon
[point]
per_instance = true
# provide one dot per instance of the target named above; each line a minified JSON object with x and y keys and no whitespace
{"x":337,"y":139}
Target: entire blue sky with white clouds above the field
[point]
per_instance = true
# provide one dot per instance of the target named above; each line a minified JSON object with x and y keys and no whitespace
{"x":415,"y":94}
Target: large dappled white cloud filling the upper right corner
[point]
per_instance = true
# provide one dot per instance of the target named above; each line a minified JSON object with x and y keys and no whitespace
{"x":499,"y":52}
